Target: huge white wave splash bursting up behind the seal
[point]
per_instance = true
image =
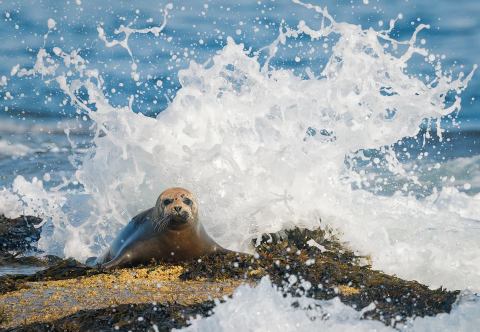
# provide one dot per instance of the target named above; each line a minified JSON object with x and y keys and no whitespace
{"x":264,"y":149}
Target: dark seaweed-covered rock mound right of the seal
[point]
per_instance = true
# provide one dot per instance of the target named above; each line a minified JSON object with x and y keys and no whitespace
{"x":304,"y":262}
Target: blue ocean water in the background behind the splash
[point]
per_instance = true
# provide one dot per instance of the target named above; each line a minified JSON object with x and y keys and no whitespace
{"x":31,"y":108}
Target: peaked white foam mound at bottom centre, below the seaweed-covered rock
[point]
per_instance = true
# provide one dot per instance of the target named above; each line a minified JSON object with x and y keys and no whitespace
{"x":263,"y":308}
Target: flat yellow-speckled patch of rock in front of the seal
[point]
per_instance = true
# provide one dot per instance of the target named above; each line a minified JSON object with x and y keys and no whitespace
{"x":48,"y":301}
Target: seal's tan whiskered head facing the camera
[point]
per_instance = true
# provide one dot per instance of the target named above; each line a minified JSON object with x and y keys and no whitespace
{"x":177,"y":207}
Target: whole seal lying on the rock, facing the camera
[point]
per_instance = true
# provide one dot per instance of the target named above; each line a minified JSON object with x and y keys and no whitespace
{"x":168,"y":232}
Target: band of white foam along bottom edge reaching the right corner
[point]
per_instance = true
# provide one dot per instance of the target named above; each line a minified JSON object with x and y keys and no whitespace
{"x":264,"y":308}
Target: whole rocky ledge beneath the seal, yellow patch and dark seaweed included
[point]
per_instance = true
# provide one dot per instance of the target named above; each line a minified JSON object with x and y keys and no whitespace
{"x":68,"y":295}
